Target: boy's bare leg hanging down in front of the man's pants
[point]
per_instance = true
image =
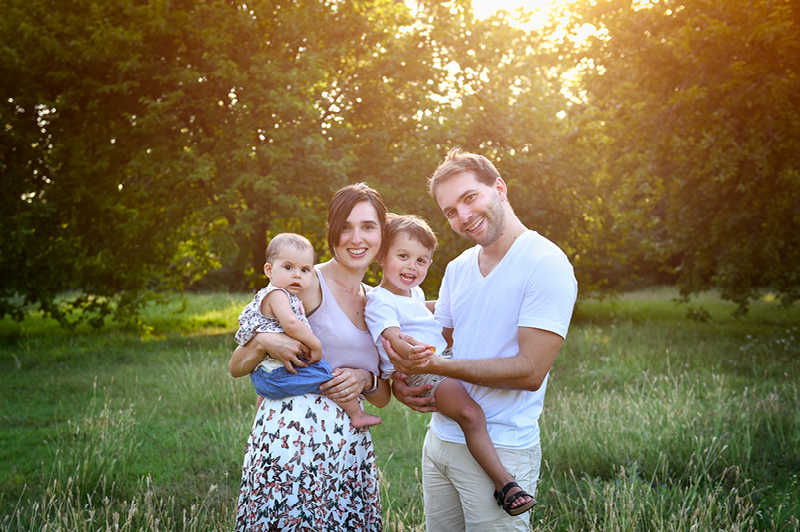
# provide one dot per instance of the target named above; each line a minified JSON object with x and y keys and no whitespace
{"x":453,"y":401}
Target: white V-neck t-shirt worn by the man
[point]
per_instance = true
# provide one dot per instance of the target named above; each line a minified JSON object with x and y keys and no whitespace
{"x":532,"y":286}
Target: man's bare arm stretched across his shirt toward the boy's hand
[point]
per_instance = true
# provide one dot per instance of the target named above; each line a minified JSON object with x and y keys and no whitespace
{"x":526,"y":371}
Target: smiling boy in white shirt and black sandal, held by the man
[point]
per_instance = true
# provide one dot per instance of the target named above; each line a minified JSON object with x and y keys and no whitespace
{"x":399,"y":304}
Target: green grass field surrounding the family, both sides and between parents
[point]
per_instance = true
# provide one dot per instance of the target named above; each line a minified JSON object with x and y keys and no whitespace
{"x":652,"y":421}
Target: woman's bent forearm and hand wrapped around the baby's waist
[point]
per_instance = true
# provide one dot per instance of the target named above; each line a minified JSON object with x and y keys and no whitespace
{"x":279,"y":346}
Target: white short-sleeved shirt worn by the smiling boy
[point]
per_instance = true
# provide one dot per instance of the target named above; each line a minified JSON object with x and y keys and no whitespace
{"x":385,"y":309}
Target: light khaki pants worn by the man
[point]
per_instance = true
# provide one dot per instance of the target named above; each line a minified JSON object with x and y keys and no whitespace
{"x":459,"y":494}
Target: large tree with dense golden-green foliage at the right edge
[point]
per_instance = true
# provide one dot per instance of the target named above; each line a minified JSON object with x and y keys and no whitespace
{"x":697,"y":102}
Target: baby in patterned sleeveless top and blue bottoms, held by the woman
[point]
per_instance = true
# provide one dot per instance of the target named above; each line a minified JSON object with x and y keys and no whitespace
{"x":276,"y":308}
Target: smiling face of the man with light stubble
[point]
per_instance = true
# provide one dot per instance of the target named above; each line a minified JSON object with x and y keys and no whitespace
{"x":474,"y":210}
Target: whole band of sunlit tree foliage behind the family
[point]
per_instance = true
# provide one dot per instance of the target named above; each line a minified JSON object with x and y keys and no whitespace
{"x":156,"y":146}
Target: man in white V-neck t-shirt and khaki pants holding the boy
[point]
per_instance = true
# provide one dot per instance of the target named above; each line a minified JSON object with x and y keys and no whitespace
{"x":506,"y":303}
